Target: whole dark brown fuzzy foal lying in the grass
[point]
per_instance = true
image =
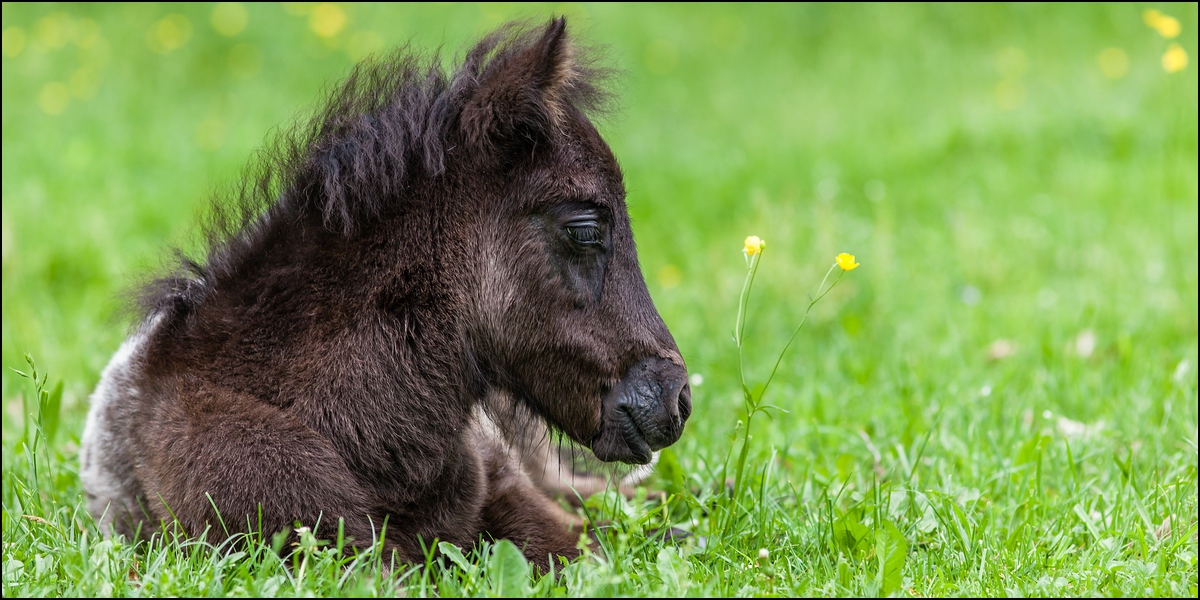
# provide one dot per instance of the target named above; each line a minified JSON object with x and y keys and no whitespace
{"x":381,"y":273}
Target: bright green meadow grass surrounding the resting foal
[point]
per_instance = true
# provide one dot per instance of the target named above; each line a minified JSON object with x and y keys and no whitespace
{"x":1000,"y":191}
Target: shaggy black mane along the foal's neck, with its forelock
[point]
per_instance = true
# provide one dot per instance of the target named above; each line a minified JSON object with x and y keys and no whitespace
{"x":389,"y":122}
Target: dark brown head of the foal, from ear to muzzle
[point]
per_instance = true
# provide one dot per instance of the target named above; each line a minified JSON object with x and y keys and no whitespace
{"x":560,"y":315}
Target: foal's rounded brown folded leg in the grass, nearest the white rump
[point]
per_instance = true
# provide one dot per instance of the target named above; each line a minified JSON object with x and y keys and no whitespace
{"x":219,"y":453}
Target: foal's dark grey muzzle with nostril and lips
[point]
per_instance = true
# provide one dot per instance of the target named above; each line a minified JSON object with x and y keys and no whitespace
{"x":644,"y":413}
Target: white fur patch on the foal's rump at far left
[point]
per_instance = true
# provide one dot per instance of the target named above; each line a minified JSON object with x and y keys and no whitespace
{"x":101,"y":449}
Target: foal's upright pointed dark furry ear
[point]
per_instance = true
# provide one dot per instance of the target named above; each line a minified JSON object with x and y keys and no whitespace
{"x":519,"y":97}
